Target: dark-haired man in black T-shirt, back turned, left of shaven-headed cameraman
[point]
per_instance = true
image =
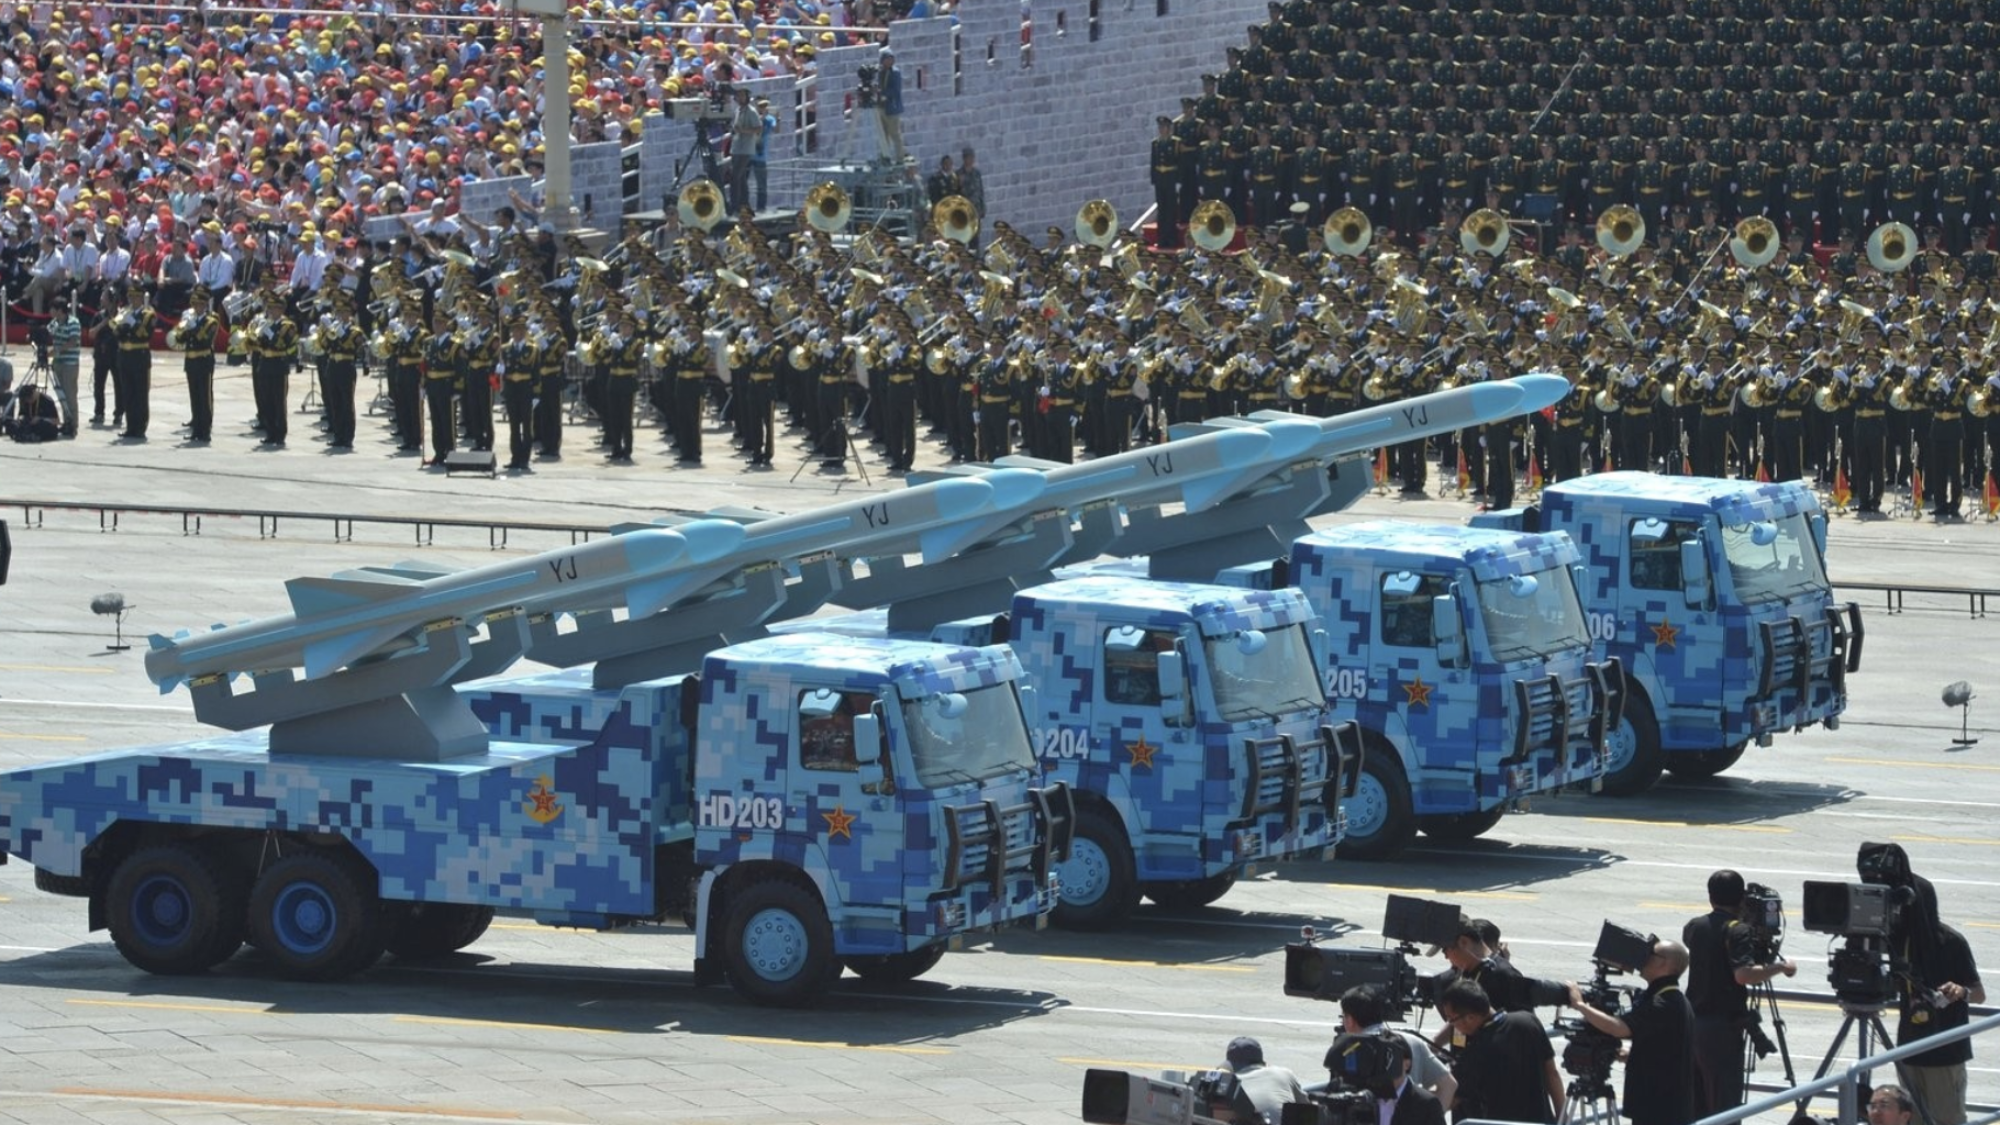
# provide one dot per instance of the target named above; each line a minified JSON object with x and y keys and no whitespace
{"x":1507,"y":1070}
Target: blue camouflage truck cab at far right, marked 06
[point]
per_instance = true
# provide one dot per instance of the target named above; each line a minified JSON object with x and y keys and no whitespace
{"x":1713,"y":598}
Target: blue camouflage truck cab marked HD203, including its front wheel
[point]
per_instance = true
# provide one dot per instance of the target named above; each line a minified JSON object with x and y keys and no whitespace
{"x":831,"y":802}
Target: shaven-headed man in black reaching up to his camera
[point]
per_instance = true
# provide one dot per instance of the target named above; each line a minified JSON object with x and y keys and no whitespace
{"x":1661,"y":1026}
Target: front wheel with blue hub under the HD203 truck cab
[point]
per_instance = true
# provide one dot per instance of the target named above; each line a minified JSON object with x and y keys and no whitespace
{"x":777,"y":946}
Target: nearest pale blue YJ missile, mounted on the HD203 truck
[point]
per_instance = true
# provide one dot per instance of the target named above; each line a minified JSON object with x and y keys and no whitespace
{"x":359,"y":614}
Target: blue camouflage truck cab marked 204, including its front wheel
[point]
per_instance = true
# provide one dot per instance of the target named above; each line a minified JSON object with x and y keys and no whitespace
{"x":1191,"y":728}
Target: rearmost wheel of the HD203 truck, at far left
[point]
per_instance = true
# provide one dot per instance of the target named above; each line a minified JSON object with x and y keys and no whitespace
{"x":173,"y":912}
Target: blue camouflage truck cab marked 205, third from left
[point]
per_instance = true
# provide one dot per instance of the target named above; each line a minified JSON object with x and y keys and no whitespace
{"x":1465,"y":664}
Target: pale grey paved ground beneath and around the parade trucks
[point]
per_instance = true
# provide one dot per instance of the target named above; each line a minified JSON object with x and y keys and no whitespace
{"x":557,"y":1026}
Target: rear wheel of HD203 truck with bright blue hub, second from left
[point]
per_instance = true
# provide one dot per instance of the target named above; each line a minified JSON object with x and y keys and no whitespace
{"x":317,"y":916}
